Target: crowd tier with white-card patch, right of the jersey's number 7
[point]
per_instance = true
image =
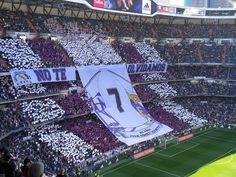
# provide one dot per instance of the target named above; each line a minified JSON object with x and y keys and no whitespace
{"x":184,"y":88}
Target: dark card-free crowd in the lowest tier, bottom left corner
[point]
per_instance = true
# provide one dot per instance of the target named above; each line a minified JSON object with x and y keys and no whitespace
{"x":21,"y":147}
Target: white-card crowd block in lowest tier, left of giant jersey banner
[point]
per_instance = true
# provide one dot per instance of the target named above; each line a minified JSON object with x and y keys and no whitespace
{"x":72,"y":147}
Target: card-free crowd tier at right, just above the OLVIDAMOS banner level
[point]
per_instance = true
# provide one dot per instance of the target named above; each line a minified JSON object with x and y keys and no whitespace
{"x":197,"y":53}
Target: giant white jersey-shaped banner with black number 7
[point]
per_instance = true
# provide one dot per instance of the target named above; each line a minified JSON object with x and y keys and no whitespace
{"x":117,"y":105}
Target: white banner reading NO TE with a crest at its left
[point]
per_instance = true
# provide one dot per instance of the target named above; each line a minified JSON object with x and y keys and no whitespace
{"x":40,"y":75}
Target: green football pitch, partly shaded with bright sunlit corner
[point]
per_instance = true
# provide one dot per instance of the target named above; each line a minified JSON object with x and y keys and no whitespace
{"x":208,"y":154}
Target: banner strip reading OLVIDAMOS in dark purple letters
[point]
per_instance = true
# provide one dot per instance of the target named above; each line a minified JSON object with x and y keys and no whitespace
{"x":146,"y":68}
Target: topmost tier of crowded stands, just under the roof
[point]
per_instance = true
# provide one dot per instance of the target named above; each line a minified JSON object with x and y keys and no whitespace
{"x":23,"y":22}
